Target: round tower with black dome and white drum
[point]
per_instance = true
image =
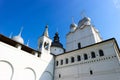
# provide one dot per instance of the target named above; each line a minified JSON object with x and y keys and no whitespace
{"x":56,"y":47}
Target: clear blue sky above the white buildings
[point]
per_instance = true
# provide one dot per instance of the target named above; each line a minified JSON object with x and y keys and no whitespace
{"x":33,"y":15}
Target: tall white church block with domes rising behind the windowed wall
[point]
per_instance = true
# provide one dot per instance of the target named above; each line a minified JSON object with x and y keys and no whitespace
{"x":85,"y":34}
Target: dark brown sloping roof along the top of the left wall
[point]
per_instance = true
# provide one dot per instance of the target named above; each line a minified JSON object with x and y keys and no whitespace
{"x":14,"y":43}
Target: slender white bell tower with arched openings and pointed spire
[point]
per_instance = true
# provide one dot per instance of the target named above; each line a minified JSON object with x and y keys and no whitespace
{"x":44,"y":42}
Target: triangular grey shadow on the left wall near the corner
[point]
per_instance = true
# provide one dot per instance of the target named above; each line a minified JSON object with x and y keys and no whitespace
{"x":48,"y":73}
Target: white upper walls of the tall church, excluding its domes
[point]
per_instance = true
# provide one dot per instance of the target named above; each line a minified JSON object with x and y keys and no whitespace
{"x":85,"y":36}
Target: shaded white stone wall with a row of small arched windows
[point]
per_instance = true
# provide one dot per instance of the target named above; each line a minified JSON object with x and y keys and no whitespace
{"x":105,"y":67}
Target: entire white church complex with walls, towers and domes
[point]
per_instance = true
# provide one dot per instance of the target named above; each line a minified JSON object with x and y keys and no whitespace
{"x":86,"y":57}
